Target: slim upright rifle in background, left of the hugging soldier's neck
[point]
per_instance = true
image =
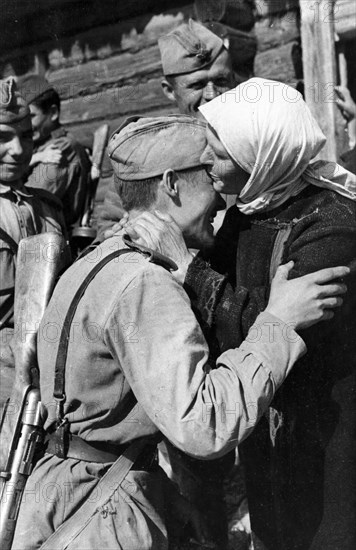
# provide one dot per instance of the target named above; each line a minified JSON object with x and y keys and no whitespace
{"x":85,"y":233}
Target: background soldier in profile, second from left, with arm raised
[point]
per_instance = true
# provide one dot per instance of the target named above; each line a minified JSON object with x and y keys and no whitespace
{"x":59,"y":163}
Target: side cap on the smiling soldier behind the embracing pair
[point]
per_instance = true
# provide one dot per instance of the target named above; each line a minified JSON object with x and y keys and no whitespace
{"x":188,"y":48}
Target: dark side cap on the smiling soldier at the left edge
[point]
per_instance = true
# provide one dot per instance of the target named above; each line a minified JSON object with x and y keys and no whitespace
{"x":13,"y":107}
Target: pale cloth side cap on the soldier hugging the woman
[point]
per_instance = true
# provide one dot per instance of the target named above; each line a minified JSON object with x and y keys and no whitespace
{"x":144,"y":148}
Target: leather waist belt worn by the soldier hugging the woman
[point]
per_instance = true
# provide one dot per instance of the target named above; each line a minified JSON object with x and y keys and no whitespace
{"x":79,"y":449}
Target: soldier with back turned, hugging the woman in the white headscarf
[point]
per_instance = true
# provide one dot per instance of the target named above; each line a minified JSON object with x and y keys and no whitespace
{"x":136,"y":366}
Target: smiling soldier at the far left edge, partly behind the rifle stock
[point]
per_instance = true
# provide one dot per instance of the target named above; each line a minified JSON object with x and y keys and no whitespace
{"x":24,"y":211}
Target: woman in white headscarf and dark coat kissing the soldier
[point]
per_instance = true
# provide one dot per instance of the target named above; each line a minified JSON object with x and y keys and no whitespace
{"x":301,"y":460}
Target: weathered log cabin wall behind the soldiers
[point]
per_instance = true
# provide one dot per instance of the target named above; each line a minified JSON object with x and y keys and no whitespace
{"x":103,"y":56}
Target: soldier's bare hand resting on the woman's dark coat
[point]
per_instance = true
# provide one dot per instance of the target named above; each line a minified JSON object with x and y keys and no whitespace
{"x":306,"y":300}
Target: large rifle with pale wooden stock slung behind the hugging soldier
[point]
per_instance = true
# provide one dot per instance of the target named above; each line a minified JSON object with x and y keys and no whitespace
{"x":40,"y":259}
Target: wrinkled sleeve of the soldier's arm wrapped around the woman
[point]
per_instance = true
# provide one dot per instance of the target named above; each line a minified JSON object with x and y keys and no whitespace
{"x":203,"y":410}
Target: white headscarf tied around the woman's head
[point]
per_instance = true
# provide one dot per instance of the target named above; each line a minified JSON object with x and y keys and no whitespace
{"x":267,"y":128}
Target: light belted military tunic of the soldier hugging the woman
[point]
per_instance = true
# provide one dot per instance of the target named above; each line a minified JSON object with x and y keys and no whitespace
{"x":138,"y":366}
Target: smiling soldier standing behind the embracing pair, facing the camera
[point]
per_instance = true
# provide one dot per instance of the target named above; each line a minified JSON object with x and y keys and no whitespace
{"x":197,"y":68}
